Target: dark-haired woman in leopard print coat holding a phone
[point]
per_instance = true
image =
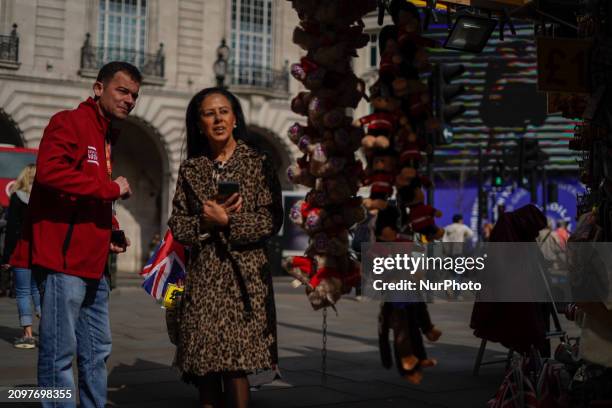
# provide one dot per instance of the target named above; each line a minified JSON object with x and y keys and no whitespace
{"x":227,"y":325}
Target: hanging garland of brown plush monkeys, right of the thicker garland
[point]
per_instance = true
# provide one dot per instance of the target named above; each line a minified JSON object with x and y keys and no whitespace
{"x":395,"y":144}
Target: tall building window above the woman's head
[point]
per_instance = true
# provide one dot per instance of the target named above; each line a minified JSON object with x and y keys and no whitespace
{"x":251,"y":41}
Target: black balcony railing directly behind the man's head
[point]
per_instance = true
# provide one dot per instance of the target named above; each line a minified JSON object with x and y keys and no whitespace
{"x":151,"y":65}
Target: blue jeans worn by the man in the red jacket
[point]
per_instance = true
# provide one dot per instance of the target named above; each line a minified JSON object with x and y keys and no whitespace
{"x":74,"y":321}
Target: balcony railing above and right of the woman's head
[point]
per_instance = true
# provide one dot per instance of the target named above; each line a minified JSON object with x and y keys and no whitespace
{"x":276,"y":81}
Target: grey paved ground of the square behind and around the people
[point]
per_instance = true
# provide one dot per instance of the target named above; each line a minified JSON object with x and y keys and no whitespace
{"x":140,"y":372}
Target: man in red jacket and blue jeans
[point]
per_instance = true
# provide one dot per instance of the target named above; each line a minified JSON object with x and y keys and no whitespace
{"x":69,"y":240}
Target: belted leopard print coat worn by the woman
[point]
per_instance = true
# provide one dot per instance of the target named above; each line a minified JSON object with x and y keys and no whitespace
{"x":217,"y":333}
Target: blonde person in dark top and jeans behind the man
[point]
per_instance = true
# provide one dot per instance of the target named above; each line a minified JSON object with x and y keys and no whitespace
{"x":26,"y":289}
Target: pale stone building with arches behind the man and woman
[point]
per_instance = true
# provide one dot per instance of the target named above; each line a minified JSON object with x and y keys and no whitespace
{"x":50,"y":51}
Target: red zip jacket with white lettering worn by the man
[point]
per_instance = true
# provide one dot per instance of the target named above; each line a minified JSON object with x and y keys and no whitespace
{"x":70,"y":209}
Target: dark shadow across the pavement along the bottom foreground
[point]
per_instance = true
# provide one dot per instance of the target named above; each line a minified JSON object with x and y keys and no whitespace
{"x":352,"y":380}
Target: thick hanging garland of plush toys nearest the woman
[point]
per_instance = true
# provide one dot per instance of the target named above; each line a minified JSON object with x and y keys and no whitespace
{"x":330,"y":33}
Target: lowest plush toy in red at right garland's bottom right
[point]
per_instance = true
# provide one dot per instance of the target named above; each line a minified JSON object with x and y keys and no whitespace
{"x":421,"y":216}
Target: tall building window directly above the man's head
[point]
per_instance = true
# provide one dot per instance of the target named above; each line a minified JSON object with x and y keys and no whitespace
{"x":122,"y":32}
